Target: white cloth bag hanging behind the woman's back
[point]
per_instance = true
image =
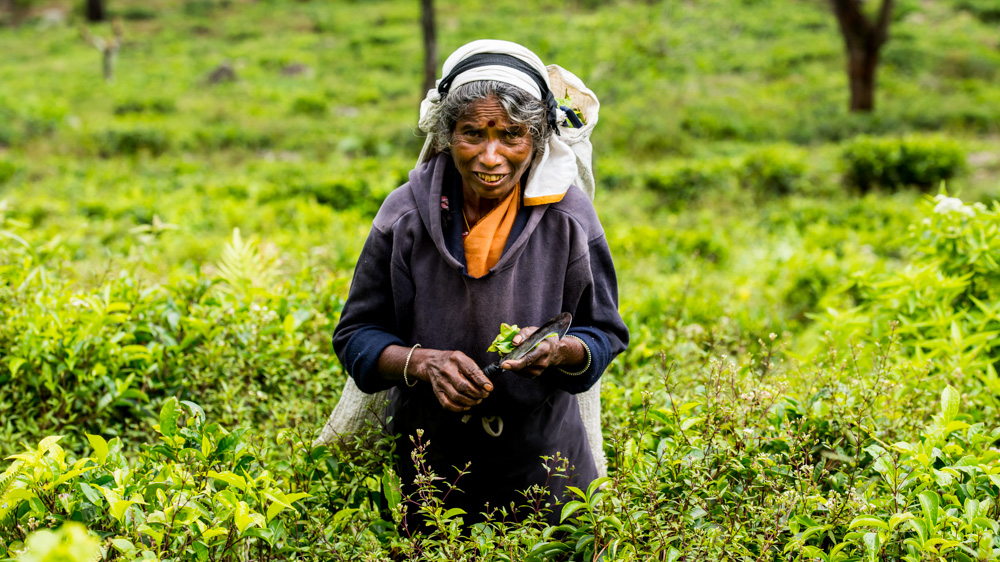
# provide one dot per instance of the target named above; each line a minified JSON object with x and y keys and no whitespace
{"x":355,"y":409}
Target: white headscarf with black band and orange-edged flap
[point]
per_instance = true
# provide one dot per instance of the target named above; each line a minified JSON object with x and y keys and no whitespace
{"x":555,"y":170}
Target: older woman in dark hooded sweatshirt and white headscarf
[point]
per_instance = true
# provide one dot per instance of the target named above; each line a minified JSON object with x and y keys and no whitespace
{"x":489,"y":229}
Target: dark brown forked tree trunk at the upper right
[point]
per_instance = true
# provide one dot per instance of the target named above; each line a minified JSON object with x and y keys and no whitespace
{"x":863,"y":40}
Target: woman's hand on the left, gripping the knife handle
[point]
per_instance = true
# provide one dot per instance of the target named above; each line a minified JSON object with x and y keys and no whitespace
{"x":458,"y":382}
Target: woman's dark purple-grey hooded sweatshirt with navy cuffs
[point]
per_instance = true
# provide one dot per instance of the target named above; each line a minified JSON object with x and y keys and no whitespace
{"x":411,"y":286}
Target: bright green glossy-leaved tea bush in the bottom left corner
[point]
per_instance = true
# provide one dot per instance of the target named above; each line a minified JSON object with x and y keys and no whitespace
{"x":201,"y":493}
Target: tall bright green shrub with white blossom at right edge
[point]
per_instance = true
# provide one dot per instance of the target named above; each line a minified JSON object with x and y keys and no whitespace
{"x":945,"y":299}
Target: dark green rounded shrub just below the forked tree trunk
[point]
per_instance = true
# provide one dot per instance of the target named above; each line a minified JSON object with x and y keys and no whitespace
{"x":897,"y":163}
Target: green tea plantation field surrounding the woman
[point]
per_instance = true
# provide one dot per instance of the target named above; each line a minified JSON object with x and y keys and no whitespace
{"x":813,"y":295}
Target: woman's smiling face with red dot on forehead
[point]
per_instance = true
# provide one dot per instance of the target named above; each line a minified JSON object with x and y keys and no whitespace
{"x":490,"y":151}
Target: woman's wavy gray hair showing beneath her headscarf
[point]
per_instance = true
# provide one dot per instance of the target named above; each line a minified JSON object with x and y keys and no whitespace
{"x":521,"y":107}
